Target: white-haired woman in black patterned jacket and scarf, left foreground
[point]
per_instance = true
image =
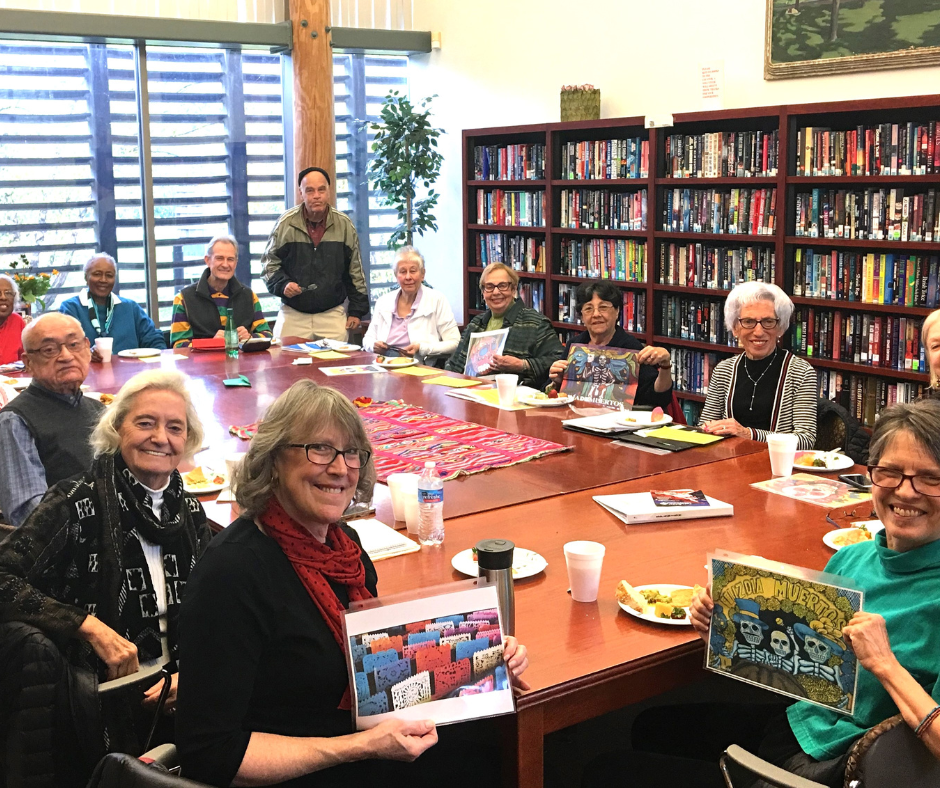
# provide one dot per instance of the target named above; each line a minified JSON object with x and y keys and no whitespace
{"x":95,"y":576}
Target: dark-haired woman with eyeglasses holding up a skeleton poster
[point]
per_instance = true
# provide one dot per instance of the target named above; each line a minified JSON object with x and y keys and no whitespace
{"x":599,"y":304}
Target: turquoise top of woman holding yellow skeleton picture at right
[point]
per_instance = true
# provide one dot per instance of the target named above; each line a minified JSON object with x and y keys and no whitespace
{"x":901,"y":587}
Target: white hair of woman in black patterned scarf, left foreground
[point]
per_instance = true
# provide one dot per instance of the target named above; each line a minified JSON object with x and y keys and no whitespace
{"x":106,"y":437}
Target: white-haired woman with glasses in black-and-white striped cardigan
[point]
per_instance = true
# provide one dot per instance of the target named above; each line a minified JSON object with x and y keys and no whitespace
{"x":766,"y":388}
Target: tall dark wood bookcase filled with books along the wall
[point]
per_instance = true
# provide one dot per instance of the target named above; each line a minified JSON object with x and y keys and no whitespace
{"x":806,"y":196}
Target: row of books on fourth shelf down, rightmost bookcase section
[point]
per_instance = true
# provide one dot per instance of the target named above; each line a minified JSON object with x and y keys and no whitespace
{"x":859,"y":338}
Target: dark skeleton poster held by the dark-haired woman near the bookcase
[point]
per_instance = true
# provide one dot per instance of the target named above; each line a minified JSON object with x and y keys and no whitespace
{"x":602,"y":375}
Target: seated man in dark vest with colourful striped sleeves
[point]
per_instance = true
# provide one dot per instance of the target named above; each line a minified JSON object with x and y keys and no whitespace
{"x":197,"y":308}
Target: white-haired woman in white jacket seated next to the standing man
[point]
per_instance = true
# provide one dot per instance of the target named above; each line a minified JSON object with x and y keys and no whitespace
{"x":414,"y":320}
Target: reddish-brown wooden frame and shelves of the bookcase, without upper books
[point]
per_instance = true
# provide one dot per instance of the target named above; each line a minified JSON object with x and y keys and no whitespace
{"x":860,"y":384}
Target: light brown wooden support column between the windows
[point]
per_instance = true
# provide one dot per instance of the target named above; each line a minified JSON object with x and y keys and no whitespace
{"x":312,"y":56}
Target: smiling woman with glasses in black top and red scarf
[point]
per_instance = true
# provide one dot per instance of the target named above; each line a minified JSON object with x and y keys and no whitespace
{"x":265,"y":696}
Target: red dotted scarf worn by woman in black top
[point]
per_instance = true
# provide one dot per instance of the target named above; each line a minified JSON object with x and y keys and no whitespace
{"x":339,"y":559}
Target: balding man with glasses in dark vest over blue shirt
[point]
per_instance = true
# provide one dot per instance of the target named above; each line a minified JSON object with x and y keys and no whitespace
{"x":44,"y":432}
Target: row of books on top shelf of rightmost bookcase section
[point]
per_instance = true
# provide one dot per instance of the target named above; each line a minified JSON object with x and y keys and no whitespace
{"x":885,"y":149}
